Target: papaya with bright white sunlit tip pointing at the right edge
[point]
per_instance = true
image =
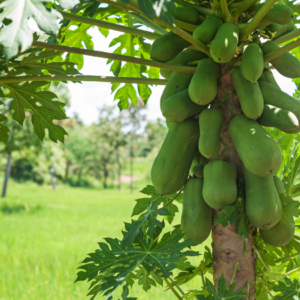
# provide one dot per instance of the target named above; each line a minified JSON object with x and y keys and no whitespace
{"x":279,"y":118}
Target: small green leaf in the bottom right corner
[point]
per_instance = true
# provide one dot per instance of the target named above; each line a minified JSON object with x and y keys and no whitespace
{"x":289,"y":290}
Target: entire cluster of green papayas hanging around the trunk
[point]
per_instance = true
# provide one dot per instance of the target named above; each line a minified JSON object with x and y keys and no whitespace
{"x":196,"y":124}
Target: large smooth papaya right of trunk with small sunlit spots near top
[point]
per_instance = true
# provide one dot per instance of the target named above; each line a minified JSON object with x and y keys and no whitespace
{"x":260,"y":154}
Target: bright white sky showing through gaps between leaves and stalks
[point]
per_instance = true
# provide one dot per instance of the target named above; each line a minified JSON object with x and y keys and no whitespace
{"x":87,"y":98}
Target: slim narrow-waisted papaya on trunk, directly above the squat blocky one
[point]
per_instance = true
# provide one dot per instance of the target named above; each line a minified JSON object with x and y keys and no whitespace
{"x":210,"y":122}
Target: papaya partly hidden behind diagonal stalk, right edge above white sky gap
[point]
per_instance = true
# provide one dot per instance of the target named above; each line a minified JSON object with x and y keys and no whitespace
{"x":286,"y":64}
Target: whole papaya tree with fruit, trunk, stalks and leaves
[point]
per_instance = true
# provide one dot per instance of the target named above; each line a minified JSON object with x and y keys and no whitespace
{"x":230,"y":156}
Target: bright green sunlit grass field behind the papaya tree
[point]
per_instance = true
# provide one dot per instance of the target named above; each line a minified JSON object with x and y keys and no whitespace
{"x":42,"y":245}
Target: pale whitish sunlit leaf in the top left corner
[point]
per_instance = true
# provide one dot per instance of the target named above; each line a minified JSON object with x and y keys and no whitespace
{"x":17,"y":35}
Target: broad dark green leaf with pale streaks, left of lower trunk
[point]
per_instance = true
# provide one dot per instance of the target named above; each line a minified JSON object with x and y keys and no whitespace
{"x":110,"y":265}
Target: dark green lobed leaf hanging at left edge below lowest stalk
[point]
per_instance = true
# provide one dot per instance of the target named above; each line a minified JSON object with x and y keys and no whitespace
{"x":44,"y":109}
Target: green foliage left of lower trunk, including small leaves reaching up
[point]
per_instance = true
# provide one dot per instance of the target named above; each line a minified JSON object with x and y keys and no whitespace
{"x":140,"y":255}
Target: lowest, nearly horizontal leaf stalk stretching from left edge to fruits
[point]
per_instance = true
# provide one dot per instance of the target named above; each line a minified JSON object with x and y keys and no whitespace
{"x":8,"y":79}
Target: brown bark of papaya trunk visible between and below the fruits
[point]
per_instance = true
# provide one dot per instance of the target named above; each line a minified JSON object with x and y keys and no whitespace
{"x":227,"y":246}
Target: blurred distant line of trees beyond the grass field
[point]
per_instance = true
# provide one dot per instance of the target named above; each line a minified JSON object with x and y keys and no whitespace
{"x":94,"y":153}
